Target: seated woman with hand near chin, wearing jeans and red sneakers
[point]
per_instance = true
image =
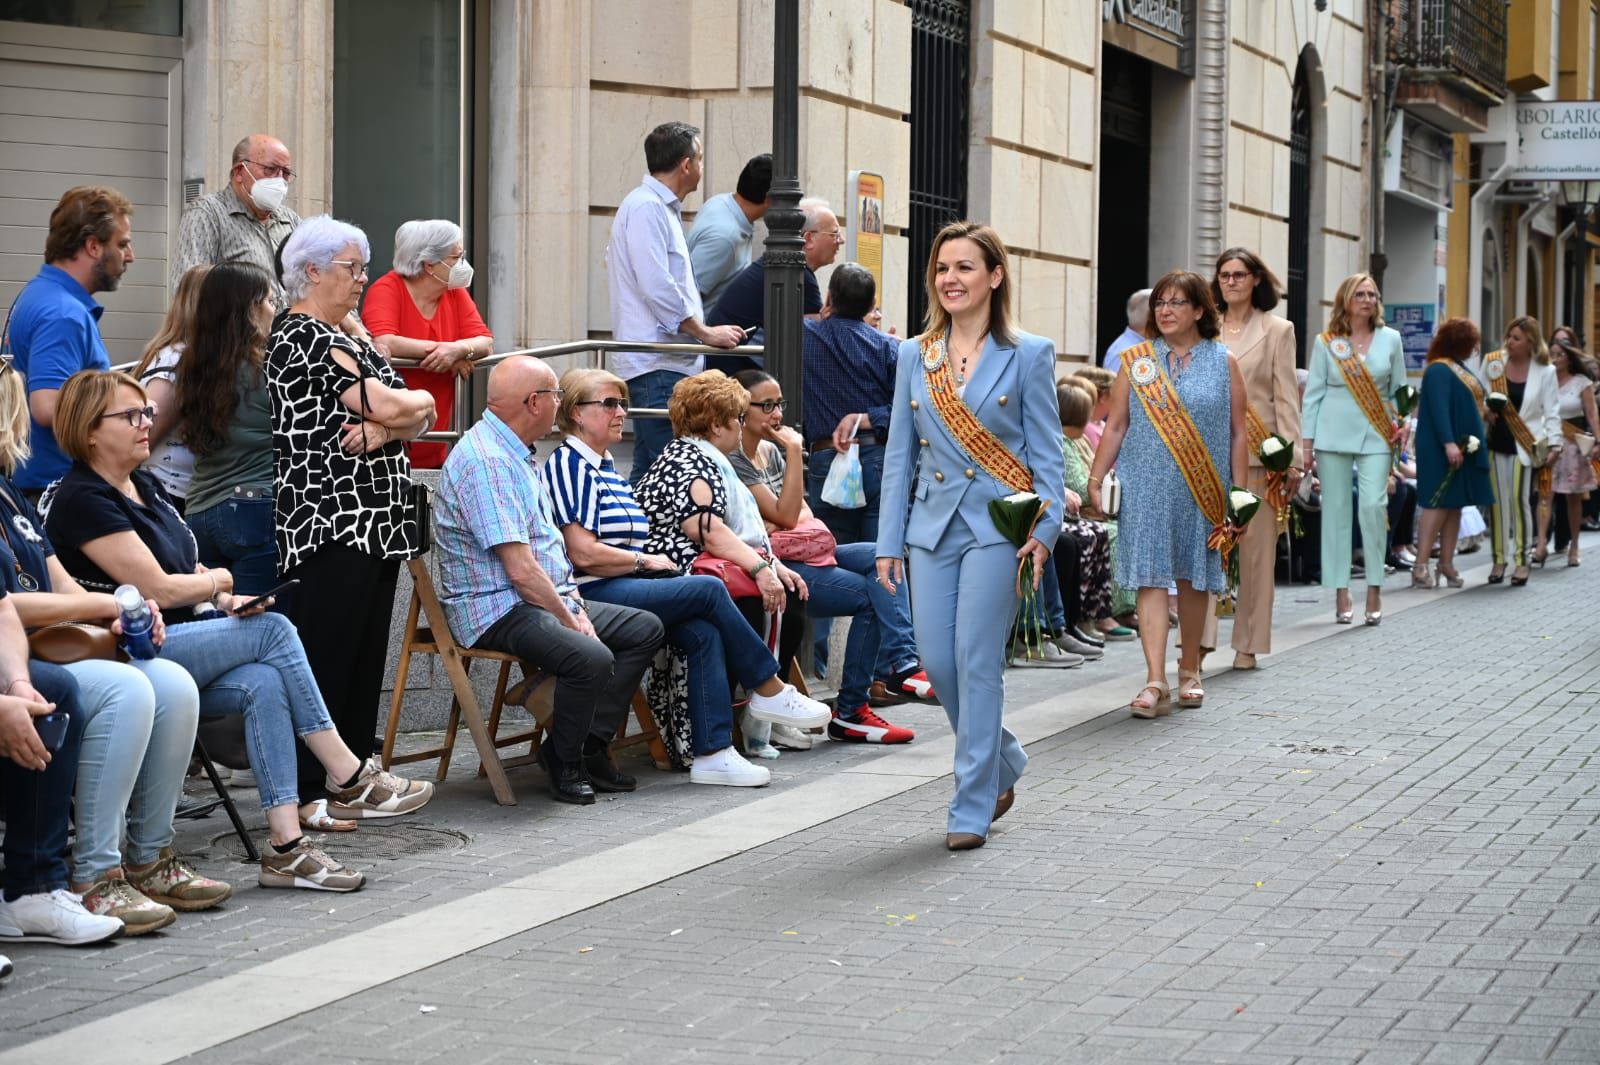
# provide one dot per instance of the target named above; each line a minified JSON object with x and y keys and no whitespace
{"x":770,"y":461}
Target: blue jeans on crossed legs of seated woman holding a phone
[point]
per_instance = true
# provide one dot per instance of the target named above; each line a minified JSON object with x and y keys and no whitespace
{"x":255,"y":666}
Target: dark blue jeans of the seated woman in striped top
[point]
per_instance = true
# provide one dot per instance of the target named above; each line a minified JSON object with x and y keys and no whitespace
{"x":705,"y":624}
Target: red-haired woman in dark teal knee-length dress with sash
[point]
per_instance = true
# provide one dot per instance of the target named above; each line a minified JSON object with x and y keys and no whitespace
{"x":1449,"y":413}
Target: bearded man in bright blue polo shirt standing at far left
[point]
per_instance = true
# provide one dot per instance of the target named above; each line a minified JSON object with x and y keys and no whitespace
{"x":55,"y":322}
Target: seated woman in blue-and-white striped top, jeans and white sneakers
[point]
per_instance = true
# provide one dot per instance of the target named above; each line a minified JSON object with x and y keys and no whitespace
{"x":708,"y":637}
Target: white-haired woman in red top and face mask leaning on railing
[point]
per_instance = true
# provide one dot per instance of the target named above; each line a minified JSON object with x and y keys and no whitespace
{"x":423,"y":314}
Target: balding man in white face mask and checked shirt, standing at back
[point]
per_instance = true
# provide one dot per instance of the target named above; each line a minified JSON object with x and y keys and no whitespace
{"x":246,"y":221}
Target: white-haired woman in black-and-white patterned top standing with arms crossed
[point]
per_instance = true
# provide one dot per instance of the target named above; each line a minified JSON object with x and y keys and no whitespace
{"x":340,"y":418}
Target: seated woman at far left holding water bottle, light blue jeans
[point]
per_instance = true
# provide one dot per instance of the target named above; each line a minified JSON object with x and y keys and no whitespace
{"x":138,"y":730}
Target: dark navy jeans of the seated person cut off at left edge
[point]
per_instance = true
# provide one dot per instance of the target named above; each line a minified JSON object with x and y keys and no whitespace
{"x":38,"y":805}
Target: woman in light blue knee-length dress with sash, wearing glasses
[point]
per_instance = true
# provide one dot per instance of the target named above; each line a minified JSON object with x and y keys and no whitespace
{"x":1162,"y":530}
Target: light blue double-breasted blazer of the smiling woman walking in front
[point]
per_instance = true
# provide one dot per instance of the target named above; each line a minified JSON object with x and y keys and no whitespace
{"x":1014,"y":393}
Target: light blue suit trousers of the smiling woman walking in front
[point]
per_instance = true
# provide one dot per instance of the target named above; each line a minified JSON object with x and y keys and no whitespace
{"x":962,"y":607}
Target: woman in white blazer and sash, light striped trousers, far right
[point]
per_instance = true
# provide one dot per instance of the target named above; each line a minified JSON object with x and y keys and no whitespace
{"x":1522,"y":372}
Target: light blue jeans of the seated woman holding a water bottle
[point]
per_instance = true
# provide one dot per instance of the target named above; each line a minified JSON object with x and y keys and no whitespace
{"x":138,"y":735}
